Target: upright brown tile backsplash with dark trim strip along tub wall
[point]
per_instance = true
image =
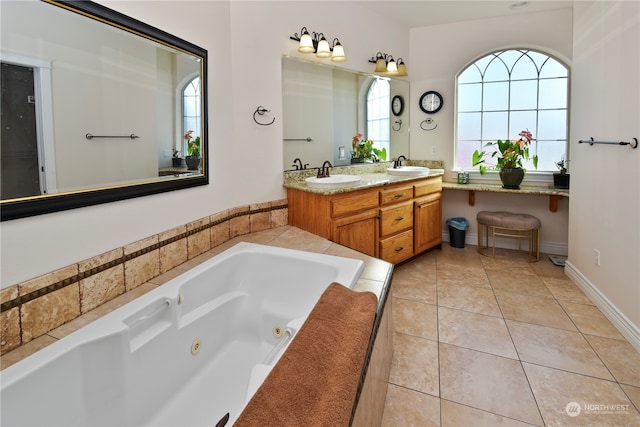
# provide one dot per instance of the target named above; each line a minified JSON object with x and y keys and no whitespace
{"x":31,"y":309}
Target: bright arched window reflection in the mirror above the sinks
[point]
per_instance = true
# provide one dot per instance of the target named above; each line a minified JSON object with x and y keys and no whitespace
{"x":378,"y":99}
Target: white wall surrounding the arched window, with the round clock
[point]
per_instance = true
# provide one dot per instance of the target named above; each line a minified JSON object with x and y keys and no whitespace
{"x":438,"y":53}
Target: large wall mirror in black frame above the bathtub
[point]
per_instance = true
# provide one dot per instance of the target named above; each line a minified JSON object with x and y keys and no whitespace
{"x":95,"y":106}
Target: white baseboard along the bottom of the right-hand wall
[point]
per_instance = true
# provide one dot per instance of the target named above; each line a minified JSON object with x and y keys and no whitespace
{"x":630,"y":331}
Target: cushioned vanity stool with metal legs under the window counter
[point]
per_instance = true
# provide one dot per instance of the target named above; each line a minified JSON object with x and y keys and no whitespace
{"x":507,"y":224}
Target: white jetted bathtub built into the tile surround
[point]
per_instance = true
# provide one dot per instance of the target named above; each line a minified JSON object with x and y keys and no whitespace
{"x":185,"y":354}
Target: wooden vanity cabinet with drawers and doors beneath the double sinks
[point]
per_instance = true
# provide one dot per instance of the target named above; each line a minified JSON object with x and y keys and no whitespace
{"x":393,"y":222}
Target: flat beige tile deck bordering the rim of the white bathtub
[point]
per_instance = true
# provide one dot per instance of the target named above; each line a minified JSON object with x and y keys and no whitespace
{"x":376,"y":278}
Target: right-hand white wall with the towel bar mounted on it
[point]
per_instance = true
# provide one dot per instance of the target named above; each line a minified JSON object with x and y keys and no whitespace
{"x":605,"y":182}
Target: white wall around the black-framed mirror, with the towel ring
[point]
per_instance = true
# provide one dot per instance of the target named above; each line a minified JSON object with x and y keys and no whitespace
{"x":245,"y":42}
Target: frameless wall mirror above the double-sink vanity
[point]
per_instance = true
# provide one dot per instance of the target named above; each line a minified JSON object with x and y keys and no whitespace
{"x":325,"y":106}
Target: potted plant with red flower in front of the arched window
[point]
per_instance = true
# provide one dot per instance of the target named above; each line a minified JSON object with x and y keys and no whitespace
{"x":510,"y":154}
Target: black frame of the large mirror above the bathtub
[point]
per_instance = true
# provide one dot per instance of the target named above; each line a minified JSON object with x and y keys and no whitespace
{"x":43,"y":204}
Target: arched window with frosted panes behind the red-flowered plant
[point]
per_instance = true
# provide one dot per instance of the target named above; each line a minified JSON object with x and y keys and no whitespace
{"x":508,"y":91}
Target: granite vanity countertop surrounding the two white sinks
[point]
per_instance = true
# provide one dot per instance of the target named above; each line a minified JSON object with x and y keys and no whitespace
{"x":373,"y":175}
